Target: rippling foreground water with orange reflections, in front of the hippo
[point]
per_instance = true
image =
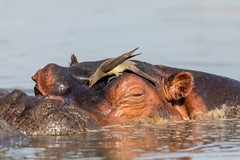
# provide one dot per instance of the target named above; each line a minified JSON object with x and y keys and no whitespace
{"x":174,"y":140}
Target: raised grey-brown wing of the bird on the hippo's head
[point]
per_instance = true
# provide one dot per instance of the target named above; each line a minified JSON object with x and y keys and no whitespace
{"x":110,"y":64}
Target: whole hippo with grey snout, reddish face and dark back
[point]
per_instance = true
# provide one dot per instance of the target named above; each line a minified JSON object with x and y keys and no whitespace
{"x":64,"y":103}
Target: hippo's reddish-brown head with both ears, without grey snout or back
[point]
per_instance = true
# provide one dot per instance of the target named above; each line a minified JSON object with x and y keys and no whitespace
{"x":121,"y":100}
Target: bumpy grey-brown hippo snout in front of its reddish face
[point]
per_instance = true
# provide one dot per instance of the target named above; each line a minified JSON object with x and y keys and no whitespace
{"x":43,"y":116}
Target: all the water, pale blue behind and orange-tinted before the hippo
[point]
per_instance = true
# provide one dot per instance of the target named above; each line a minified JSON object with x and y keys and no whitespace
{"x":201,"y":35}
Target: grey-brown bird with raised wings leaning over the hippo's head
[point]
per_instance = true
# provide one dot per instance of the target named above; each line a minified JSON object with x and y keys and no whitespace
{"x":116,"y":66}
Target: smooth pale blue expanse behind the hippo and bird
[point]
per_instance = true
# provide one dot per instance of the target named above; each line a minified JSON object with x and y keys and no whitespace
{"x":200,"y":35}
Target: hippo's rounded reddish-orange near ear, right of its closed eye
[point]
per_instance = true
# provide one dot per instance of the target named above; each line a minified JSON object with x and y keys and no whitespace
{"x":178,"y":85}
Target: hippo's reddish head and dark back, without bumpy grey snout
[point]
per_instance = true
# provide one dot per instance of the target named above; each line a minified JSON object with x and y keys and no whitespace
{"x":181,"y":94}
